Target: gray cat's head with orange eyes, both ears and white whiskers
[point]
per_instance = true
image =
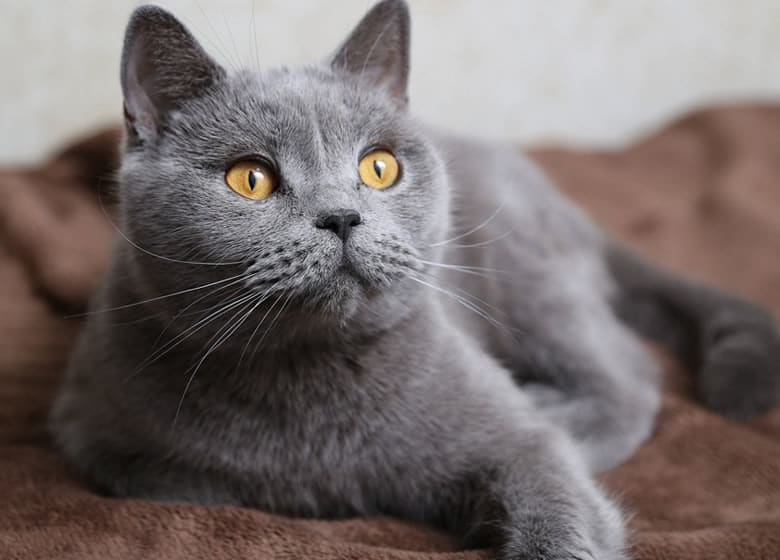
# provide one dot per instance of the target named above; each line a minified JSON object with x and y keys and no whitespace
{"x":314,"y":182}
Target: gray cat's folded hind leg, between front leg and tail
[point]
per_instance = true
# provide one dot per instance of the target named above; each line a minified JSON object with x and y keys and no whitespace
{"x":589,"y":375}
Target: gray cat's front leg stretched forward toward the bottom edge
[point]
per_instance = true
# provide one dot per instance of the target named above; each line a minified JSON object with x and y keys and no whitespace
{"x":485,"y":465}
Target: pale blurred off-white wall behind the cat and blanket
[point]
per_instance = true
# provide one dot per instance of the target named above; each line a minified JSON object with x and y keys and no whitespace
{"x":593,"y":72}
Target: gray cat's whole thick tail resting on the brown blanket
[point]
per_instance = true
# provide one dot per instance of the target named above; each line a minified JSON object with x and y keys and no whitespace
{"x":733,"y":345}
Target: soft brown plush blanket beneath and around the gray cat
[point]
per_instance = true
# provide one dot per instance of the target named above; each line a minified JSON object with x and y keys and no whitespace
{"x":701,"y":196}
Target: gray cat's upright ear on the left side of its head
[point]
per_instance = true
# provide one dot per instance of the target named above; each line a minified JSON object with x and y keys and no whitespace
{"x":162,"y":66}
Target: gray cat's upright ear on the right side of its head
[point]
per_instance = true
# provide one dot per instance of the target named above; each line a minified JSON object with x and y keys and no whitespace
{"x":378,"y":48}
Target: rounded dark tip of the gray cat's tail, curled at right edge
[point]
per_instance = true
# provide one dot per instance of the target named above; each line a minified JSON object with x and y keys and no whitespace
{"x":740,"y":374}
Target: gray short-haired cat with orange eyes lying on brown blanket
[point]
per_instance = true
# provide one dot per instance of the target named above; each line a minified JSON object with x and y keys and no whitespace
{"x":320,"y":307}
